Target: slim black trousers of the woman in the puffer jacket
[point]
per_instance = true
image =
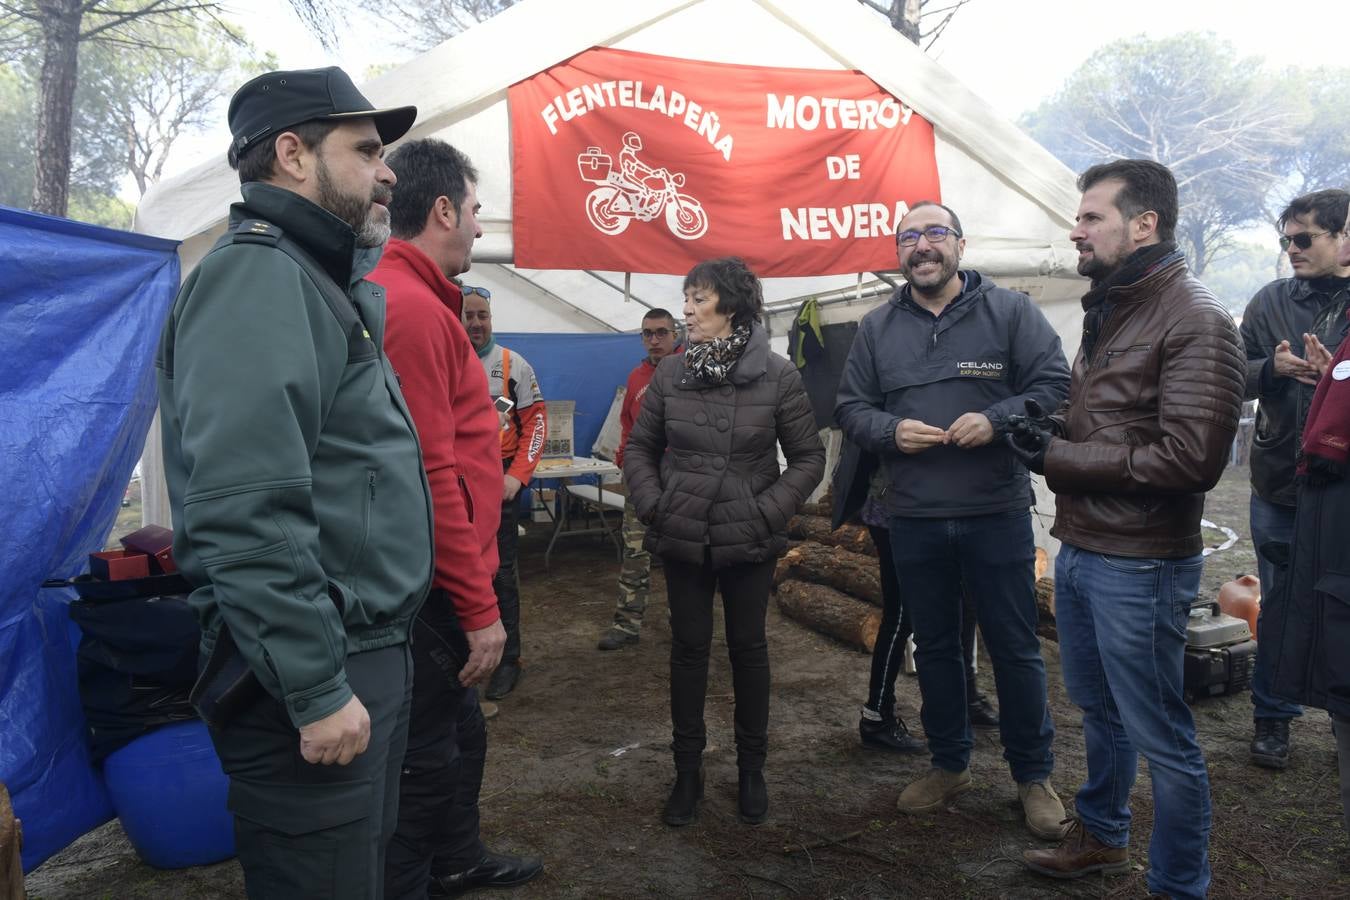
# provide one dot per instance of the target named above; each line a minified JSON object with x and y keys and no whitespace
{"x":745,"y":604}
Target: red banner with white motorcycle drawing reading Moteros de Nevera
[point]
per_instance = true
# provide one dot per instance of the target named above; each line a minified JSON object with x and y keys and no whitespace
{"x":631,"y":163}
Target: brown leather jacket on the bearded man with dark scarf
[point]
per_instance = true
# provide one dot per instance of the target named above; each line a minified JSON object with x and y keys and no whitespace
{"x":1150,"y":420}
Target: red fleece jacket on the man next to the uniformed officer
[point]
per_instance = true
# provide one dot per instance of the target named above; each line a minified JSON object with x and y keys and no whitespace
{"x":448,"y":395}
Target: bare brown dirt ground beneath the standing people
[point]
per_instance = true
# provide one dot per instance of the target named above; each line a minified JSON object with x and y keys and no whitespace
{"x":580,"y":767}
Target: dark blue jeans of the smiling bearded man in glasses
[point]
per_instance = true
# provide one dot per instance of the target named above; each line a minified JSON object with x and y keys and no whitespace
{"x":994,"y":557}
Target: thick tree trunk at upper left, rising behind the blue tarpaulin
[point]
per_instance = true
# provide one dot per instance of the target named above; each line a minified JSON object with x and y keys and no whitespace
{"x":56,"y":105}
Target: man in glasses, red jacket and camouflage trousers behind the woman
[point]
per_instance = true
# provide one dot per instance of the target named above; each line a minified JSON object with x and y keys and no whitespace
{"x":661,"y":341}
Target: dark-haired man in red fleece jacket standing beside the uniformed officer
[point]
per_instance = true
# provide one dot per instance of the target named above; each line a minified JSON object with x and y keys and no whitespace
{"x":458,"y":636}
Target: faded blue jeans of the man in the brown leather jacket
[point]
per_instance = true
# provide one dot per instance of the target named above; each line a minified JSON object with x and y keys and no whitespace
{"x":1123,"y":639}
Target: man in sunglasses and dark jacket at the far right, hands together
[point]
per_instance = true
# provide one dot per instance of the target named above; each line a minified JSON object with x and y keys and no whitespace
{"x":1289,"y":327}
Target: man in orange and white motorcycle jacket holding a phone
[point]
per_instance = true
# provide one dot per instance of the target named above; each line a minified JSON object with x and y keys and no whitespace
{"x":512,"y":385}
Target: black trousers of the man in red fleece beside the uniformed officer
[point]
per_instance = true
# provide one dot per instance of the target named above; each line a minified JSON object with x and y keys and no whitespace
{"x":443,"y":768}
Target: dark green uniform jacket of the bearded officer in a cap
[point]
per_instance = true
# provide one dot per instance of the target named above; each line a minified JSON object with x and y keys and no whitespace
{"x":302,"y":511}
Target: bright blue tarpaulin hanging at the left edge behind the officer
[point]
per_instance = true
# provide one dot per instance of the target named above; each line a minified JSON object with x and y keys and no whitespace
{"x":79,"y":320}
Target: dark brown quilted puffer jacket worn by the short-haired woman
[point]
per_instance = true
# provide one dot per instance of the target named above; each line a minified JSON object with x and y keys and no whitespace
{"x":701,"y":462}
